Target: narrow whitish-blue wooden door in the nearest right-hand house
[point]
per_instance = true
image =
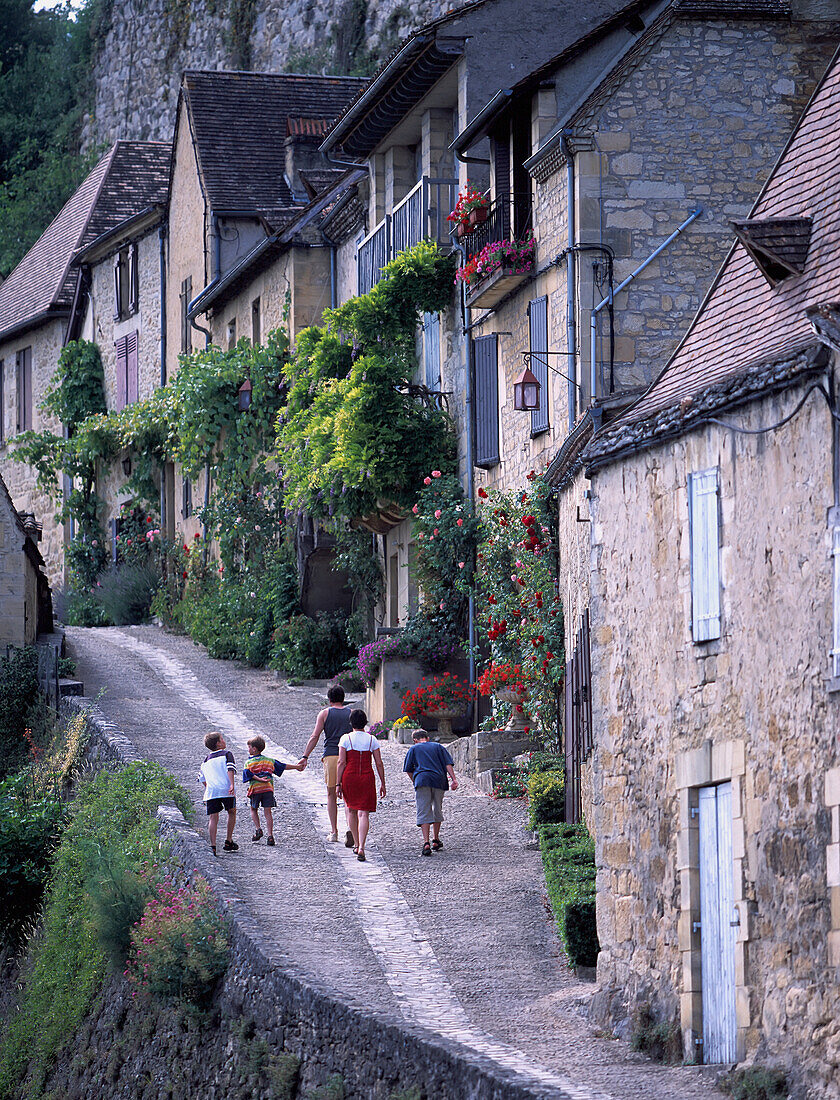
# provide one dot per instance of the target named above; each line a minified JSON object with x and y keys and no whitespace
{"x":717,"y":925}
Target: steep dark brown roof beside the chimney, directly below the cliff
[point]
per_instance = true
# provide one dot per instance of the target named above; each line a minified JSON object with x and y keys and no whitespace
{"x":240,"y":124}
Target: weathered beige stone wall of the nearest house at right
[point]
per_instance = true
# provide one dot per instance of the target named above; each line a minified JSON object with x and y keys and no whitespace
{"x":753,"y":708}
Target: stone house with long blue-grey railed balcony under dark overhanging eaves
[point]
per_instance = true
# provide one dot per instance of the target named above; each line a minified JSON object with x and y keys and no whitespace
{"x":404,"y":125}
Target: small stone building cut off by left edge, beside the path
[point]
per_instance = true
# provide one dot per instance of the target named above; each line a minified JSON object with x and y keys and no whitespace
{"x":26,"y":602}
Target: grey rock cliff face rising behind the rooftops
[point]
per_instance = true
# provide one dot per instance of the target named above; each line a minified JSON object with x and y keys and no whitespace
{"x":145,"y":46}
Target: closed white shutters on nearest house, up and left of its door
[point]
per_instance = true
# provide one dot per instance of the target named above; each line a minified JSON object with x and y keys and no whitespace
{"x":705,"y":540}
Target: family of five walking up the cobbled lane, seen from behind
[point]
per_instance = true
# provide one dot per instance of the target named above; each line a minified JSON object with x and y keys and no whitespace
{"x":349,"y":758}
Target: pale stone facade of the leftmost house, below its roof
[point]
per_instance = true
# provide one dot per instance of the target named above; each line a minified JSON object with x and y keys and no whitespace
{"x":47,"y":346}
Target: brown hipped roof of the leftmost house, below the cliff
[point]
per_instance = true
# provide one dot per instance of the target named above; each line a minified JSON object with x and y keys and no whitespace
{"x":131,"y":178}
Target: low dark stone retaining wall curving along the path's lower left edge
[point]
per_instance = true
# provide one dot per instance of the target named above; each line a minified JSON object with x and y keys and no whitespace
{"x":160,"y":1057}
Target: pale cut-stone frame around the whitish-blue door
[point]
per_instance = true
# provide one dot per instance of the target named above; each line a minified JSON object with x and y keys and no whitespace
{"x":709,"y":766}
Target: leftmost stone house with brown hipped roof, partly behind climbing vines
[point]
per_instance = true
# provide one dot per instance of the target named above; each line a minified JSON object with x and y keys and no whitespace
{"x":37,"y":303}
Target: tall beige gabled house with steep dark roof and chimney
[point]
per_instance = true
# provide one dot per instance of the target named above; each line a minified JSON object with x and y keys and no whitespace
{"x":246,"y":146}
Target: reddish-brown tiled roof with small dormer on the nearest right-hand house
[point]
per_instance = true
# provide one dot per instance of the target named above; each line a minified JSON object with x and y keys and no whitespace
{"x":746,"y":326}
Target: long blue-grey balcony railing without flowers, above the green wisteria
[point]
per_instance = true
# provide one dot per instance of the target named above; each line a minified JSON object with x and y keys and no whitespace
{"x":421,"y":216}
